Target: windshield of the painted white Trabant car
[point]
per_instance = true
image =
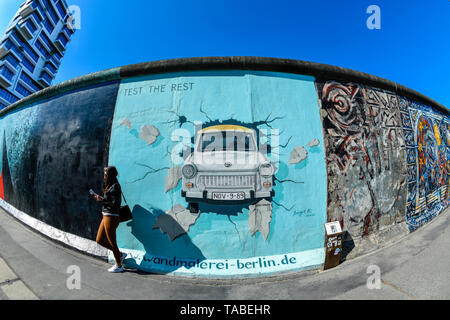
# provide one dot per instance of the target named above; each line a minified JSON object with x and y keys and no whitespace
{"x":226,"y":141}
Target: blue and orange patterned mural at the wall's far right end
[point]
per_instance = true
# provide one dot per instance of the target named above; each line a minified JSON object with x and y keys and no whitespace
{"x":427,"y":149}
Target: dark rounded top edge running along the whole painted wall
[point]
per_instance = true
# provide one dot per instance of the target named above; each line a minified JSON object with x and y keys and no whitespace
{"x":317,"y":70}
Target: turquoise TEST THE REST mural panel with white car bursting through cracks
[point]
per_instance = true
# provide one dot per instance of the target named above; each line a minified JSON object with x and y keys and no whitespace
{"x":219,"y":166}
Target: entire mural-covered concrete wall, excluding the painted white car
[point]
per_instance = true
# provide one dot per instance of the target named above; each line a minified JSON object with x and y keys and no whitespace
{"x":345,"y":147}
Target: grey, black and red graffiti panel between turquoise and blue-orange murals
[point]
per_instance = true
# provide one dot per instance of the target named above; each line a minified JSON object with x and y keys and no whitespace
{"x":365,"y":154}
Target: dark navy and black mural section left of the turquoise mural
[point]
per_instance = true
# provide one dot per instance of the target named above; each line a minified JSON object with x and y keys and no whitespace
{"x":53,"y":152}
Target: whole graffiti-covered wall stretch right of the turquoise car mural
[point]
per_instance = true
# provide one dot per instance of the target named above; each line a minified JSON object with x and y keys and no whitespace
{"x":384,"y":153}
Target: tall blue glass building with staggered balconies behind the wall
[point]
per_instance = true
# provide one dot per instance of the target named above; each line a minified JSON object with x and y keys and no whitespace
{"x":32,"y":48}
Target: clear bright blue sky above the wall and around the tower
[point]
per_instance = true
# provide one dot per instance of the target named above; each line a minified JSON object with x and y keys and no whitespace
{"x":411,"y":48}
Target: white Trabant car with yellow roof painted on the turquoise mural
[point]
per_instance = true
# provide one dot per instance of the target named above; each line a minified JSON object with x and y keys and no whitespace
{"x":226,"y":167}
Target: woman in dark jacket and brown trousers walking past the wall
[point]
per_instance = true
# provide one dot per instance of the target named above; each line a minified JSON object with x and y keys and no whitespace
{"x":106,"y":234}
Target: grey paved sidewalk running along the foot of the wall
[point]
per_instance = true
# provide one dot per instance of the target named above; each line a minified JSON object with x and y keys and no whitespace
{"x":416,"y":267}
